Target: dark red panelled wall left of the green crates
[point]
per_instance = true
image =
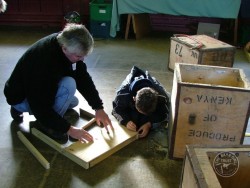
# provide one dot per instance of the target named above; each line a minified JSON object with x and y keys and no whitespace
{"x":42,"y":12}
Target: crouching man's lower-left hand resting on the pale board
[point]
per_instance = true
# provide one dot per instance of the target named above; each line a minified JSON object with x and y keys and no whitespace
{"x":80,"y":134}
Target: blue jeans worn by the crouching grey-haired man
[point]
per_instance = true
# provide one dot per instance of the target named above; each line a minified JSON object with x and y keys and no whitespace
{"x":65,"y":98}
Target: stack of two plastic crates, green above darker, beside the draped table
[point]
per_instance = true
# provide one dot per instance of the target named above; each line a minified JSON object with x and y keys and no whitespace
{"x":100,"y":18}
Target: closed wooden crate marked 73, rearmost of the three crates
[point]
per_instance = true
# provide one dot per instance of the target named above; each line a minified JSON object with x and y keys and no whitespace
{"x":200,"y":49}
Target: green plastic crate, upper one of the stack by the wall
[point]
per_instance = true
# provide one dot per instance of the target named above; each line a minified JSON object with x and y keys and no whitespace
{"x":100,"y":10}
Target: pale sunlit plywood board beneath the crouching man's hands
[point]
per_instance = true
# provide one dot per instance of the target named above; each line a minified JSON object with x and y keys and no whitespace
{"x":103,"y":146}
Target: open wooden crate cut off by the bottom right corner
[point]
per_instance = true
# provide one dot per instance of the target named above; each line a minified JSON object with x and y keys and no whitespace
{"x":216,"y":167}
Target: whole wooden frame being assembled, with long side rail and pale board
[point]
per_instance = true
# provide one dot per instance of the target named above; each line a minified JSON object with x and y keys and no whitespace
{"x":89,"y":154}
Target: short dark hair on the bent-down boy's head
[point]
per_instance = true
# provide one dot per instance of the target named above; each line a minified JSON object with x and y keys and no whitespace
{"x":146,"y":100}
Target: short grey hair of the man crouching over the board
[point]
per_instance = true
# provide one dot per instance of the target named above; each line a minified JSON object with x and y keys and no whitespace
{"x":76,"y":38}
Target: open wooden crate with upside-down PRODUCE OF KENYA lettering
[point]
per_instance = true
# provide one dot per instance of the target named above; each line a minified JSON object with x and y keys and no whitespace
{"x":209,"y":105}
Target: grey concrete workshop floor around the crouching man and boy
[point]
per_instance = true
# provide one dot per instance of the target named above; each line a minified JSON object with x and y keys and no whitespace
{"x":143,"y":163}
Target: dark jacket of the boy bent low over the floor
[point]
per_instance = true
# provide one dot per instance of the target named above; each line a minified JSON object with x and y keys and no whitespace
{"x":124,"y":108}
